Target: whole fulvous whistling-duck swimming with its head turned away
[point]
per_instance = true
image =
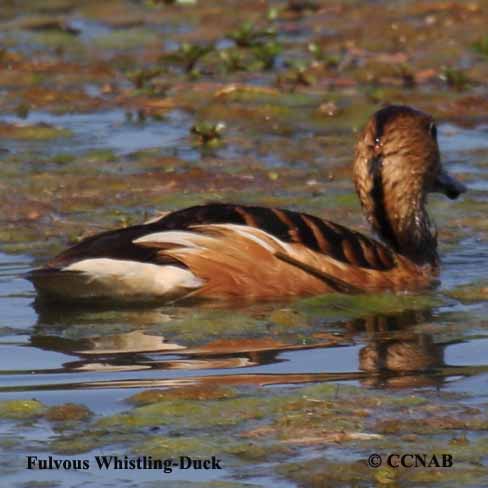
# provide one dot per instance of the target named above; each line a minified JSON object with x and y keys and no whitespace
{"x":226,"y":251}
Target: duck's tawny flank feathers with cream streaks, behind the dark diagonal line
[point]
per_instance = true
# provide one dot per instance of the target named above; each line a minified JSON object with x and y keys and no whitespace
{"x":234,"y":261}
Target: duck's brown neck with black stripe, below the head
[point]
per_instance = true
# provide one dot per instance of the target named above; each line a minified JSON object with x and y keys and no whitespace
{"x":398,"y":215}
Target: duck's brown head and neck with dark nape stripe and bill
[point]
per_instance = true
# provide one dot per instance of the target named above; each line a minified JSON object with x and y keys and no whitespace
{"x":397,"y":163}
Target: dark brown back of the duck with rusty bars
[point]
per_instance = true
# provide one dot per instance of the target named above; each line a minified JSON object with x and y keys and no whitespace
{"x":317,"y":234}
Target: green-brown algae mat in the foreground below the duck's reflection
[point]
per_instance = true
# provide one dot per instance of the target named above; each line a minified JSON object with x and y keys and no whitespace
{"x":265,"y":428}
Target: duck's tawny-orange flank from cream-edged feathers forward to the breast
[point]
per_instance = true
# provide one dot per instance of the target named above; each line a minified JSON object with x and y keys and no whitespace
{"x":238,"y":260}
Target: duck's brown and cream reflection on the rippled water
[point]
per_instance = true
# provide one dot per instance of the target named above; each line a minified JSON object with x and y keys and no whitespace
{"x":394,"y":354}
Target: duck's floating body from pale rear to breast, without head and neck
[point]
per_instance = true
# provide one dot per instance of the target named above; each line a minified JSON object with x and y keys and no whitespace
{"x":223,"y":250}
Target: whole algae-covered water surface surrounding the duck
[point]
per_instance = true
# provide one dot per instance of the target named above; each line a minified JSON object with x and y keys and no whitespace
{"x":97,"y":105}
